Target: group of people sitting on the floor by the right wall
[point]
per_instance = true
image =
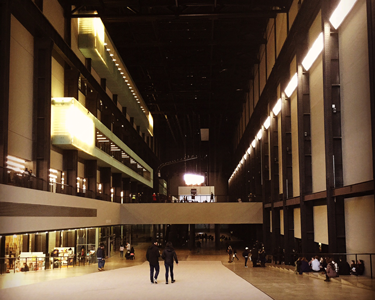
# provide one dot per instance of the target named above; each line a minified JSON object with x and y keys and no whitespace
{"x":329,"y":266}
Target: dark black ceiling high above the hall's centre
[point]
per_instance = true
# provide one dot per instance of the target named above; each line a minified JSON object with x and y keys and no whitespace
{"x":191,"y":61}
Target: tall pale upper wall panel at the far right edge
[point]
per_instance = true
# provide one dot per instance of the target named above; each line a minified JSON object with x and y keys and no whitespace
{"x":355,"y":97}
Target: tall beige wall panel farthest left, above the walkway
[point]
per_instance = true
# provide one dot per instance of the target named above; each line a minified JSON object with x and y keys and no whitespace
{"x":20,"y":91}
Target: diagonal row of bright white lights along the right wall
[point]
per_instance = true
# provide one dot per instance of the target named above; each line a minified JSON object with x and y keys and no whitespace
{"x":336,"y":19}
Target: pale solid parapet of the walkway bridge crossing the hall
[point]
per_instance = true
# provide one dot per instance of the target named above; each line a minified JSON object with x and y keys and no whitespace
{"x":29,"y":210}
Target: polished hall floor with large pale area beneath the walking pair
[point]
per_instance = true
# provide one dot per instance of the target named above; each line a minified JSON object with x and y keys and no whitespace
{"x":203,"y":275}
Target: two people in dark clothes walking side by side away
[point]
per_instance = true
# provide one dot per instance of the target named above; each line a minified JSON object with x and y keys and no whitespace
{"x":169,"y":256}
